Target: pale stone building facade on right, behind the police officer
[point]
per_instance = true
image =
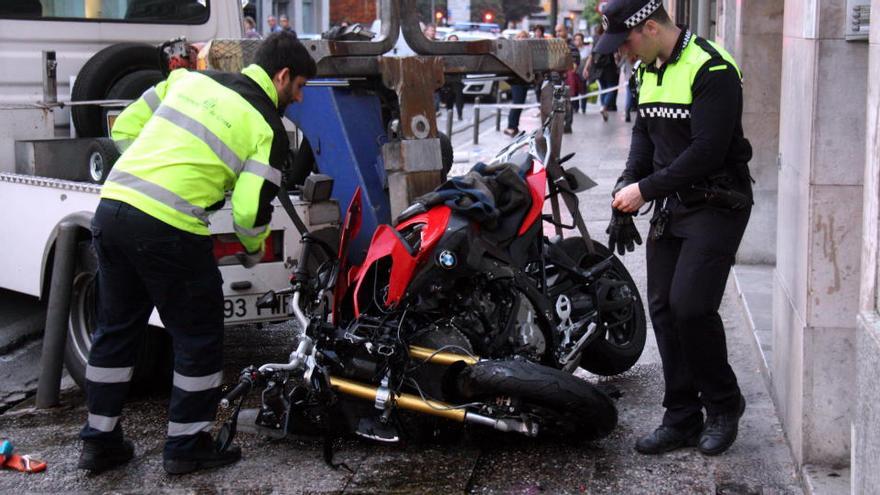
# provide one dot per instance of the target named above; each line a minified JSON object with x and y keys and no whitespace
{"x":812,"y":117}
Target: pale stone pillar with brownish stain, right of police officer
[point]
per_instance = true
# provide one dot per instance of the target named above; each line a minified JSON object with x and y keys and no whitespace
{"x":819,"y":228}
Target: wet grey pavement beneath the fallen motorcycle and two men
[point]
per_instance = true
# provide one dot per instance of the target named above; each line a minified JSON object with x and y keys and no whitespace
{"x":759,"y":463}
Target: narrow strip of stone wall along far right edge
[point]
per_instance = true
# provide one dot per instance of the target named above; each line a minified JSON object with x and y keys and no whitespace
{"x":865,"y":472}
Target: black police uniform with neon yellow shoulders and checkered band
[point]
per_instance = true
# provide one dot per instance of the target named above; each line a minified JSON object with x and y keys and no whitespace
{"x":689,"y":156}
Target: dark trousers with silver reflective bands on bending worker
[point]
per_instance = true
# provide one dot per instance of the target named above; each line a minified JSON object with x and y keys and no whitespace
{"x":142,"y":263}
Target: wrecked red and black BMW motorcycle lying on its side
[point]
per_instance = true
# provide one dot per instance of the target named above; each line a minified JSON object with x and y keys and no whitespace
{"x":464,"y":311}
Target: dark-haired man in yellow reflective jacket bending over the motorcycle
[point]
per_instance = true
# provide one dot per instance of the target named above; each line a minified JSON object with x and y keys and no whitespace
{"x":187,"y":141}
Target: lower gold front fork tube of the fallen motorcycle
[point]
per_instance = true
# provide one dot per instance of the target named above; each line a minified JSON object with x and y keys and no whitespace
{"x":434,"y":408}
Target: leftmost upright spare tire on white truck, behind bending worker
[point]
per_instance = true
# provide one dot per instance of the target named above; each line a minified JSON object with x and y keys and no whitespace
{"x":98,"y":76}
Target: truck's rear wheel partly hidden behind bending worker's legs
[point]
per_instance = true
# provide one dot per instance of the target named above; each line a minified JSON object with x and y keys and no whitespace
{"x":152,"y":372}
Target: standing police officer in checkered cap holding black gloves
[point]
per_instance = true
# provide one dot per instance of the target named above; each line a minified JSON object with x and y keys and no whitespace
{"x":688,"y":155}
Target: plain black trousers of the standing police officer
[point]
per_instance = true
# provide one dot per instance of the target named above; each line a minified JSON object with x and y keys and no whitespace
{"x":687,"y":273}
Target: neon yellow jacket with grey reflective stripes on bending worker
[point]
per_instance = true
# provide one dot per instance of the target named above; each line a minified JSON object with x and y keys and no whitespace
{"x":192,"y":138}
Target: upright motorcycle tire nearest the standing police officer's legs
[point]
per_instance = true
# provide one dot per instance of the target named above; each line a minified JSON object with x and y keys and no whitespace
{"x":609,"y":355}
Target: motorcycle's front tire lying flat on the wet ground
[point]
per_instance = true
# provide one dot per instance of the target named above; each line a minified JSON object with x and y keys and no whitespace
{"x":565,"y":406}
